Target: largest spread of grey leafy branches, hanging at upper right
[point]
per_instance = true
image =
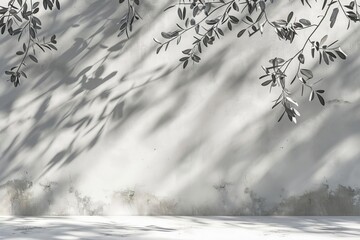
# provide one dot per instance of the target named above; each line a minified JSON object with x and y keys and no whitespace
{"x":207,"y":20}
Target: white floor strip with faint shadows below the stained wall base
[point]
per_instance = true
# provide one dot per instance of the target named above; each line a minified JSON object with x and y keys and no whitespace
{"x":159,"y":228}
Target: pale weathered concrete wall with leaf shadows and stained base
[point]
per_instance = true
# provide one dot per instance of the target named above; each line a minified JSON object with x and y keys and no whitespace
{"x":106,"y":126}
